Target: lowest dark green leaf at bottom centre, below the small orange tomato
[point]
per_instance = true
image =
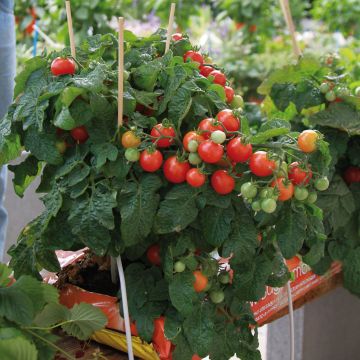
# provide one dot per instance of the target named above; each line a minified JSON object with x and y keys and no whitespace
{"x":199,"y":329}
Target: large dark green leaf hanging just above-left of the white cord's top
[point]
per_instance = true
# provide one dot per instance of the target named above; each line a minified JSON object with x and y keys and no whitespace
{"x":92,"y":217}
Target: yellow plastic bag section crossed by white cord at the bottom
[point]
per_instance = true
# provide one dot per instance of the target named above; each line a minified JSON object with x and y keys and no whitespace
{"x":117,"y":341}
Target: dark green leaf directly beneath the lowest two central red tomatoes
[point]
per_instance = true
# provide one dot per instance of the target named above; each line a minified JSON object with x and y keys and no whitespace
{"x":177,"y":211}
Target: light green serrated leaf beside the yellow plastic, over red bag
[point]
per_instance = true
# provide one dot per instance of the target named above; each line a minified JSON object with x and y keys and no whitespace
{"x":84,"y":320}
